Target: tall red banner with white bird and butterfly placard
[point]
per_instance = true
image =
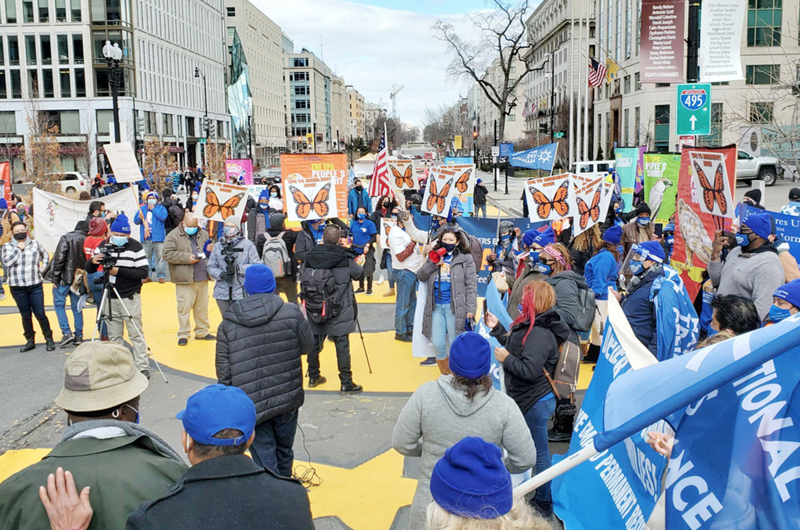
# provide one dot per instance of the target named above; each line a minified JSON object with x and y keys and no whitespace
{"x":694,"y":222}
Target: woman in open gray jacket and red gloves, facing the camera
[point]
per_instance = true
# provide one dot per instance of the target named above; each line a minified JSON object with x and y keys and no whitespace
{"x":452,"y":292}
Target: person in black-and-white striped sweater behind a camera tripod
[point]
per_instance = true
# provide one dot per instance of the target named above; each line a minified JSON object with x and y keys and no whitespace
{"x":125,"y":265}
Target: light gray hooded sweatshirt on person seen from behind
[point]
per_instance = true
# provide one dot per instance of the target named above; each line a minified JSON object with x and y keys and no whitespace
{"x":438,"y":415}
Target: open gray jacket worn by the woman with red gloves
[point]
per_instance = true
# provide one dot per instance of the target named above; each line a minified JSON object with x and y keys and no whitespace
{"x":463,"y":290}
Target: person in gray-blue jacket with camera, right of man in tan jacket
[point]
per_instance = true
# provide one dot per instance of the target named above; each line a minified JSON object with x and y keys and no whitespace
{"x":229,"y":259}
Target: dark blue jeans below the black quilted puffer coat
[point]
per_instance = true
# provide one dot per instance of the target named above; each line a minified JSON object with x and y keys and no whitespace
{"x":272,"y":446}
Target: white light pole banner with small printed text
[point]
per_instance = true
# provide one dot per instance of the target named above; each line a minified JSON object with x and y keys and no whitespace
{"x":721,"y":30}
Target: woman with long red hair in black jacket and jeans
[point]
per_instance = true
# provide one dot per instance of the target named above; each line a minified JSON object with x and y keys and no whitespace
{"x":531,"y":349}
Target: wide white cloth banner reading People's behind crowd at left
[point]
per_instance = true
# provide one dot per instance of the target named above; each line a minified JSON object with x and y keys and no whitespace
{"x":54,"y":215}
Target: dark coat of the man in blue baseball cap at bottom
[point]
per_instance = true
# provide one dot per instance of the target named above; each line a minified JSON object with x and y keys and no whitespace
{"x":227,"y":491}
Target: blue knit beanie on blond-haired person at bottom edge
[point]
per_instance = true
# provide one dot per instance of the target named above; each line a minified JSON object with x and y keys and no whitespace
{"x":470,"y":480}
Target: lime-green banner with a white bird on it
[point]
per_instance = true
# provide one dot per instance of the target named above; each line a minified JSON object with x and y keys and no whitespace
{"x":661,"y":185}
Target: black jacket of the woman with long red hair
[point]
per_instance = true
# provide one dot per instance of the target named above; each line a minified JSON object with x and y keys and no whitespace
{"x":525,"y":381}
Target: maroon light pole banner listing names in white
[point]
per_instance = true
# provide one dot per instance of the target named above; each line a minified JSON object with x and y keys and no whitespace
{"x":662,"y":41}
